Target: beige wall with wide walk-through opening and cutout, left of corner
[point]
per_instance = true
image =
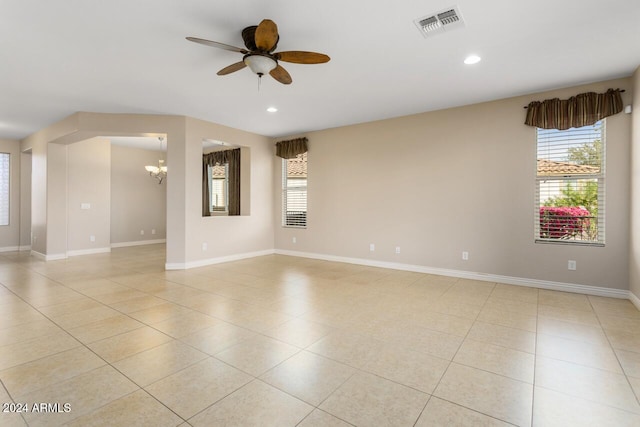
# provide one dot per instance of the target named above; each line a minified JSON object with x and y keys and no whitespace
{"x":185,"y":228}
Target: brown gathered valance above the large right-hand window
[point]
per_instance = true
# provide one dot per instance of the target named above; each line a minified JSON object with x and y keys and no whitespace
{"x":581,"y":110}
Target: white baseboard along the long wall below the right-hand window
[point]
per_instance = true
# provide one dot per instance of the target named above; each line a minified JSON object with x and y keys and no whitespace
{"x":518,"y":281}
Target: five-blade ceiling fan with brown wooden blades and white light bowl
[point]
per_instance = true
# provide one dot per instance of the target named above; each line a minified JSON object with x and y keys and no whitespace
{"x":261,"y":41}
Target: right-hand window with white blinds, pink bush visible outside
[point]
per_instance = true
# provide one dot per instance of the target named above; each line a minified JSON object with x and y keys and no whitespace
{"x":570,"y":185}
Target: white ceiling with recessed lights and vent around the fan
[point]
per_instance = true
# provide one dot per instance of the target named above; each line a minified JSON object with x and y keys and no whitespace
{"x":123,"y":56}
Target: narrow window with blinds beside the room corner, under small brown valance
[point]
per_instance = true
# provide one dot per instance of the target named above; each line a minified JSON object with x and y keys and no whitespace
{"x":294,"y":191}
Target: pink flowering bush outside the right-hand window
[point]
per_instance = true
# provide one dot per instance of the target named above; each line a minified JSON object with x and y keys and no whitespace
{"x":563,"y":222}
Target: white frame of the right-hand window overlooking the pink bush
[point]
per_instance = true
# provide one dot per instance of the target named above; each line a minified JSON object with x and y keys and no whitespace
{"x":567,"y":178}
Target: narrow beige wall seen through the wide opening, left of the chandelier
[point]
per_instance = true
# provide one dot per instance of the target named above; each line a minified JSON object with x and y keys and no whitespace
{"x":89,"y":183}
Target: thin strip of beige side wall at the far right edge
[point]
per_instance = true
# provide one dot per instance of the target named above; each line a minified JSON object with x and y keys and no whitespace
{"x":634,"y":247}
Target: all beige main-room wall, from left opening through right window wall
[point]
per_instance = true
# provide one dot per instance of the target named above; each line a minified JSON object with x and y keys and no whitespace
{"x":434,"y":184}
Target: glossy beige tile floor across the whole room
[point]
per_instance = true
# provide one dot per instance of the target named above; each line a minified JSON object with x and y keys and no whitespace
{"x":283,"y":341}
